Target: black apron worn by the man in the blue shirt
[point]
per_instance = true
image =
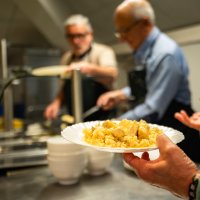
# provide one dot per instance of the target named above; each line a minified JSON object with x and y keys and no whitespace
{"x":191,"y":144}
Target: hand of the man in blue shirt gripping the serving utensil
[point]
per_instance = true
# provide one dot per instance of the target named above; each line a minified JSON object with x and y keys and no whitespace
{"x":110,"y":99}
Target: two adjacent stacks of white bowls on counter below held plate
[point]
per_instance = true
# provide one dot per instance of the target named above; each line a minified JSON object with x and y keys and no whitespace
{"x":68,"y":161}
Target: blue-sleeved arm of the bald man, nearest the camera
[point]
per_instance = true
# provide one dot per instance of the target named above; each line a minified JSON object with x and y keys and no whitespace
{"x":162,"y":86}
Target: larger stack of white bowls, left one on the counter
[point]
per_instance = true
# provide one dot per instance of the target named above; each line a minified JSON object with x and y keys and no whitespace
{"x":66,"y":160}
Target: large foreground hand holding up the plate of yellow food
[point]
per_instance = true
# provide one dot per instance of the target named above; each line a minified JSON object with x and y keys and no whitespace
{"x":173,"y":170}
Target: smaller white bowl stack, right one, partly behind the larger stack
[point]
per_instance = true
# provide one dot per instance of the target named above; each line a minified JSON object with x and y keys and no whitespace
{"x":98,"y":161}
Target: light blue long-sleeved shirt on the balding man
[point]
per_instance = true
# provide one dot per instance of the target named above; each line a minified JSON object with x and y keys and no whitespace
{"x":166,"y":76}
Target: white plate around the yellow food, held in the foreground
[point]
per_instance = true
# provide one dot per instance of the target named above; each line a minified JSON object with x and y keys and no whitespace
{"x":75,"y":134}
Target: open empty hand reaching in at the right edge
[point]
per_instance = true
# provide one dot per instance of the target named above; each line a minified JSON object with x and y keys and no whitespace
{"x":192,"y":122}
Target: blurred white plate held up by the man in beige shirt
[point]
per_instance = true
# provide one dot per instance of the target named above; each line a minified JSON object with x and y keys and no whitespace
{"x":57,"y":70}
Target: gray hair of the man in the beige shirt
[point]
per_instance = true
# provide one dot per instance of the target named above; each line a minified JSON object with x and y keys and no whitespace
{"x":77,"y":20}
